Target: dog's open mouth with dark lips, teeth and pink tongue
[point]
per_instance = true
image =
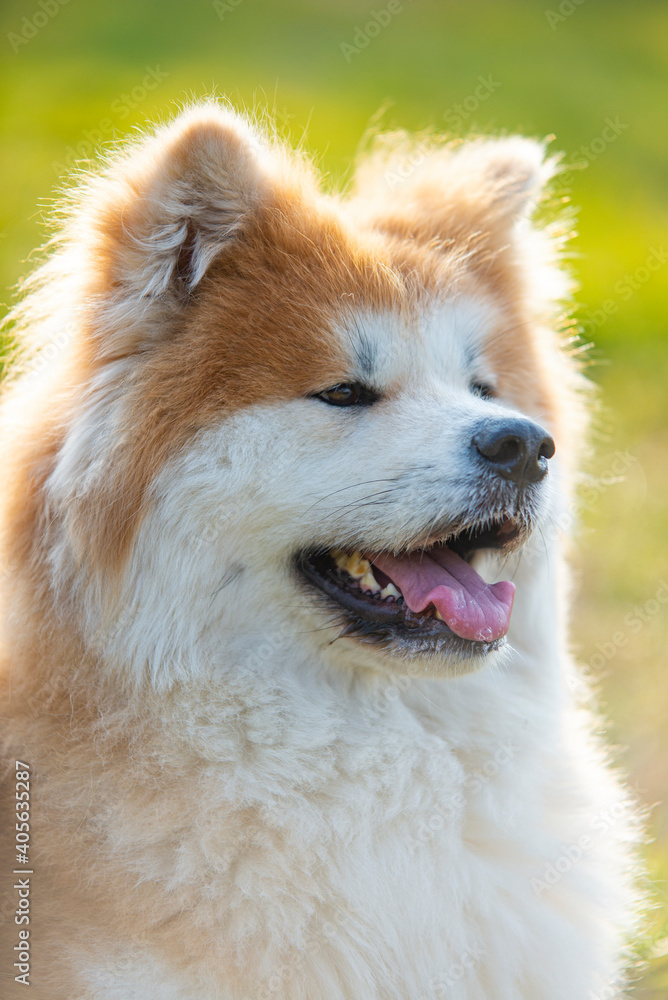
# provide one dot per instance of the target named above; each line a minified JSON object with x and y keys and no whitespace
{"x":427,"y":599}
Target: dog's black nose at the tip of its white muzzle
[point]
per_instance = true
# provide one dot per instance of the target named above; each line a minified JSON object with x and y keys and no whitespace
{"x":517,"y":450}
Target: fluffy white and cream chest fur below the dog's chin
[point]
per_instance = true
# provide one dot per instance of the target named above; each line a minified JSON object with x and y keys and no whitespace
{"x":382,"y":838}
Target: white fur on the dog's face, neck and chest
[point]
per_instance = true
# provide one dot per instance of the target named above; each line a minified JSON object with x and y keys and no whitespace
{"x":406,"y":815}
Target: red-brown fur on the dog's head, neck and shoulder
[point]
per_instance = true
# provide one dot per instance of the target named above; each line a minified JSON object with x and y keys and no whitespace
{"x":256,"y":328}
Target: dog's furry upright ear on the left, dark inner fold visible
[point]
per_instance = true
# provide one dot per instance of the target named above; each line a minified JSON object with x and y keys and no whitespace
{"x":167,"y":207}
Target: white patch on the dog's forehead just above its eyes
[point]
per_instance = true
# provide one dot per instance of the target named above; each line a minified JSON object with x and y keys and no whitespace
{"x":442,"y":339}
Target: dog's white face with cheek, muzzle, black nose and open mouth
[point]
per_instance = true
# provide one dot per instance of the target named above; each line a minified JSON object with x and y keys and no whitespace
{"x":370,"y":495}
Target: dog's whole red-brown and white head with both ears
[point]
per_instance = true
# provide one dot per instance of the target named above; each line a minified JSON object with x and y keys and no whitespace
{"x":336,"y":416}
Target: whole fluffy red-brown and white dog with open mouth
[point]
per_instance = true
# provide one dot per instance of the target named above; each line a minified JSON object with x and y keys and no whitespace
{"x":285,"y":520}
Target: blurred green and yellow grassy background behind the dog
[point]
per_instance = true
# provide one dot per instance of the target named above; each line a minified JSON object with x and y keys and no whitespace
{"x":77,"y":75}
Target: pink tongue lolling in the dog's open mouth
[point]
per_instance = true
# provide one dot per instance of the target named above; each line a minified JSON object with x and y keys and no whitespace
{"x":472,"y":608}
